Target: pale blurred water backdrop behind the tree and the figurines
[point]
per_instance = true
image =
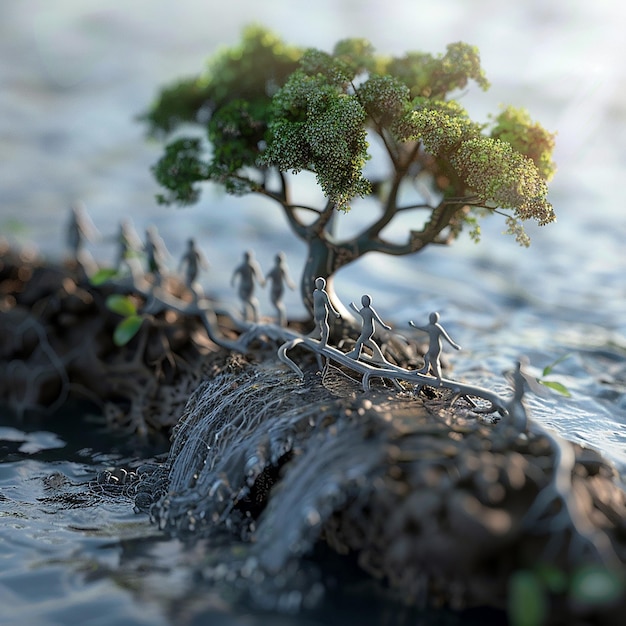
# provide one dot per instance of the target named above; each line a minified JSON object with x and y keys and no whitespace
{"x":76,"y":73}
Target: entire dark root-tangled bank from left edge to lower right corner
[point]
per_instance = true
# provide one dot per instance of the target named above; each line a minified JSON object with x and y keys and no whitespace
{"x":438,"y":503}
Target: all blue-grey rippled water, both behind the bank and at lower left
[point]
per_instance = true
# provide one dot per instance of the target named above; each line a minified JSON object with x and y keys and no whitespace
{"x":74,"y":74}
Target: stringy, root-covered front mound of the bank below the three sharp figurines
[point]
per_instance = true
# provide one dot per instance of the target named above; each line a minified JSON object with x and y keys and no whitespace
{"x":433,"y":502}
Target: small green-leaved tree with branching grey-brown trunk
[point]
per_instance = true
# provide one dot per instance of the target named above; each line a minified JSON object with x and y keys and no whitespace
{"x":271,"y":111}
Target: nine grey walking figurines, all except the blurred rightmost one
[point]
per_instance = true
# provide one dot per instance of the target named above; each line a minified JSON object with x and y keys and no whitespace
{"x":130,"y":250}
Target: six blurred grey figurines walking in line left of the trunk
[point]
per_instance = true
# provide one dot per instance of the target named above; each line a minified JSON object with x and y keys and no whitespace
{"x":131,"y":249}
